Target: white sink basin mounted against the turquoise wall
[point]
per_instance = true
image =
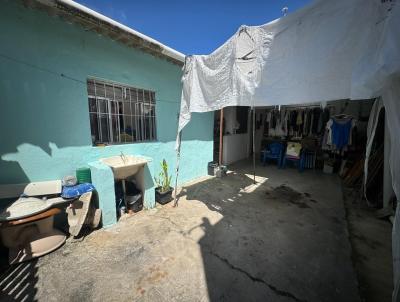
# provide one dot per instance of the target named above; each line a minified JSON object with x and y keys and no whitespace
{"x":124,"y":166}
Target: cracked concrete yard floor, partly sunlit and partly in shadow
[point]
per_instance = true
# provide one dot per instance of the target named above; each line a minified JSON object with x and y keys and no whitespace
{"x":284,"y":239}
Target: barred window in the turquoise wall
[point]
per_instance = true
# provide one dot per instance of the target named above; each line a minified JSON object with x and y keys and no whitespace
{"x":120,"y":114}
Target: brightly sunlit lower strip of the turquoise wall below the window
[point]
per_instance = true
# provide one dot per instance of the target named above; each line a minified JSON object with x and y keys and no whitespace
{"x":32,"y":163}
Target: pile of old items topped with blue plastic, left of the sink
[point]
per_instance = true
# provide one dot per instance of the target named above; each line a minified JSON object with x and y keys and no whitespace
{"x":26,"y":224}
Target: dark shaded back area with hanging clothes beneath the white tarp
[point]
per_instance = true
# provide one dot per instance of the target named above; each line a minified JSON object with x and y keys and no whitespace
{"x":308,"y":126}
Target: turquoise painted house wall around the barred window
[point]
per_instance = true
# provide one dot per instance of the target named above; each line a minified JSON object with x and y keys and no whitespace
{"x":44,"y":124}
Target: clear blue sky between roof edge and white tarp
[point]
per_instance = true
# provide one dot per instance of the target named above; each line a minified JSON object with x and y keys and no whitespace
{"x":192,"y":27}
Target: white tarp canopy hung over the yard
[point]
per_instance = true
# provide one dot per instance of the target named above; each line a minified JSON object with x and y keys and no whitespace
{"x":330,"y":50}
